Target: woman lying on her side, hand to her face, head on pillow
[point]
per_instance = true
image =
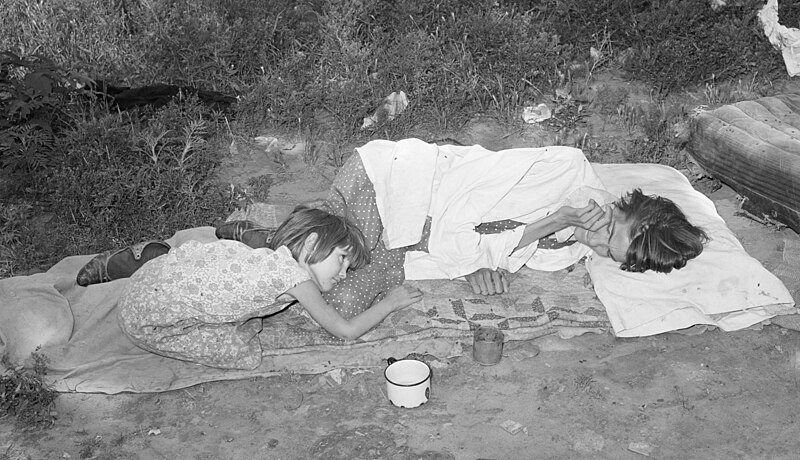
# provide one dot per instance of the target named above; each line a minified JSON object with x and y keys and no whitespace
{"x":473,"y":224}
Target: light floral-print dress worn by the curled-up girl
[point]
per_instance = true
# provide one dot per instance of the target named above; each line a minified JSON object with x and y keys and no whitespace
{"x":203,"y":302}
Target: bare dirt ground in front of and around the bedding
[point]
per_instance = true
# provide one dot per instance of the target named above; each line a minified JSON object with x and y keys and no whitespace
{"x":710,"y":395}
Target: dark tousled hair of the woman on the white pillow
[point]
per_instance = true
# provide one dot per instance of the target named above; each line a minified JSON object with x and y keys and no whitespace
{"x":661,"y":236}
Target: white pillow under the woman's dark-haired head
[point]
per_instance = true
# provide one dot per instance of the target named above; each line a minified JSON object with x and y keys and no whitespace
{"x":724,"y":286}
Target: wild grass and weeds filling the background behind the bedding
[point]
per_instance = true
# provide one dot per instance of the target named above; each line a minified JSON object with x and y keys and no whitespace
{"x":312,"y":71}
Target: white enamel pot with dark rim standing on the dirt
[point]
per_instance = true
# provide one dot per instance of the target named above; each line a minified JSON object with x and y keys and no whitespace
{"x":408,"y":382}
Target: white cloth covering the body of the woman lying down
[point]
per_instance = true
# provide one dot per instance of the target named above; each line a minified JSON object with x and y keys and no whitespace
{"x":467,"y":186}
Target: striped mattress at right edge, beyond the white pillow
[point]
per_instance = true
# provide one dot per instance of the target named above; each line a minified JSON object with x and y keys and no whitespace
{"x":754,"y":147}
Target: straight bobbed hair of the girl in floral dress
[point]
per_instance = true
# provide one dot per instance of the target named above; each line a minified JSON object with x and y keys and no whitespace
{"x":332,"y":232}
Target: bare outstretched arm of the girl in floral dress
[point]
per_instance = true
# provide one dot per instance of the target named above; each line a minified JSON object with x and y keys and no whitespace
{"x":311,"y":299}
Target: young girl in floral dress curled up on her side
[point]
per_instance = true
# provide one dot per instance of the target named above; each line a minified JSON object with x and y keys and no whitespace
{"x":204,"y":302}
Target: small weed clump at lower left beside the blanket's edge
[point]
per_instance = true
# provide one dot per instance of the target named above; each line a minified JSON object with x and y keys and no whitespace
{"x":24,"y":394}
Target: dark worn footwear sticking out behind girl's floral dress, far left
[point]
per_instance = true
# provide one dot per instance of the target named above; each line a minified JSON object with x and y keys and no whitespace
{"x":120,"y":263}
